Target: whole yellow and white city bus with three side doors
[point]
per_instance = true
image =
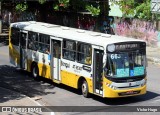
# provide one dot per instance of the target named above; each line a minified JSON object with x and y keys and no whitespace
{"x":105,"y":65}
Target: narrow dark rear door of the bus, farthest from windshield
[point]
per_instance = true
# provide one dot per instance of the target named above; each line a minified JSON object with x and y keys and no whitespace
{"x":23,"y":49}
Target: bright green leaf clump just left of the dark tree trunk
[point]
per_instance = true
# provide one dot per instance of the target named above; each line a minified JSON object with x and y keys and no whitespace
{"x":93,"y":10}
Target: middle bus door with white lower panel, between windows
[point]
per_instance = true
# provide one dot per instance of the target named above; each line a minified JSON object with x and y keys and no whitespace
{"x":55,"y":59}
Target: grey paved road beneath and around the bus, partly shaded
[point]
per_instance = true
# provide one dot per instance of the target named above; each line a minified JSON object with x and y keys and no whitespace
{"x":47,"y":93}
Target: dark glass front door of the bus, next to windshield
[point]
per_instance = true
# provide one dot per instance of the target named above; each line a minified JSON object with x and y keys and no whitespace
{"x":97,"y":71}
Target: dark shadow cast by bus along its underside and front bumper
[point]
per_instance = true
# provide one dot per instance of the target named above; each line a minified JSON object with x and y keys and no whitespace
{"x":114,"y":101}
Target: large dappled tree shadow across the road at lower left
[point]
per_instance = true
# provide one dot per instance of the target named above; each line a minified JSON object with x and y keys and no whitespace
{"x":20,"y":81}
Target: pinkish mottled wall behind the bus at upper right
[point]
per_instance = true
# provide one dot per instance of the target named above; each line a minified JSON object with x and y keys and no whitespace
{"x":145,"y":30}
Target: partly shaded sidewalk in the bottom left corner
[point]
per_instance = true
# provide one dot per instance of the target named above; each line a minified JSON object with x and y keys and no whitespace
{"x":12,"y":99}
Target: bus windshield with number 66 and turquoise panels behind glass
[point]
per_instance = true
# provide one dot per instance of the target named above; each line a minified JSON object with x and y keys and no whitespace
{"x":126,"y":64}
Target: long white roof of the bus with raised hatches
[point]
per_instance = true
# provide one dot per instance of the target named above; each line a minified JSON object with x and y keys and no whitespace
{"x":86,"y":36}
